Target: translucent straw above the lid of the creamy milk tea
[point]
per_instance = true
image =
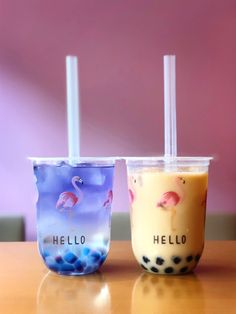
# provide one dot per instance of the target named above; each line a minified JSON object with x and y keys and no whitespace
{"x":170,"y":106}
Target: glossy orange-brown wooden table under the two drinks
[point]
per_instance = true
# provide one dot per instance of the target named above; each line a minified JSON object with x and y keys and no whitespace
{"x":26,"y":286}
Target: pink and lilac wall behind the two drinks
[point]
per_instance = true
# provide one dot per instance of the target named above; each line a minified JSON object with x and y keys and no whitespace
{"x":120,"y":45}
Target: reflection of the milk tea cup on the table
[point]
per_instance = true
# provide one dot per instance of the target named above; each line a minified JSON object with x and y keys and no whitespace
{"x":163,"y":294}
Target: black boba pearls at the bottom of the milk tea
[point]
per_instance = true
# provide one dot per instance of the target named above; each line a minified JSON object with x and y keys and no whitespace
{"x":174,"y":265}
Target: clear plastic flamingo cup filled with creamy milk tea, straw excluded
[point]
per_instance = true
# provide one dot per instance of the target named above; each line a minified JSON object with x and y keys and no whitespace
{"x":168,"y":206}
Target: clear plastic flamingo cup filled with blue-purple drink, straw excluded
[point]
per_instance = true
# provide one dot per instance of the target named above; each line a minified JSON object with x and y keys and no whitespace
{"x":74,"y":212}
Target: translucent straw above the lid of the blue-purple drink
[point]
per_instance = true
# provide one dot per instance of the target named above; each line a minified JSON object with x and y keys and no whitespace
{"x":73,"y":111}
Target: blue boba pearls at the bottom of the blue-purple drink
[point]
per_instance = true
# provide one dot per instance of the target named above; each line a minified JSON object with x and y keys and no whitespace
{"x":86,"y":261}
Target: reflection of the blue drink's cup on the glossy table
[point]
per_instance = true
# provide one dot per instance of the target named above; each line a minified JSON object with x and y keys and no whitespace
{"x":61,"y":294}
